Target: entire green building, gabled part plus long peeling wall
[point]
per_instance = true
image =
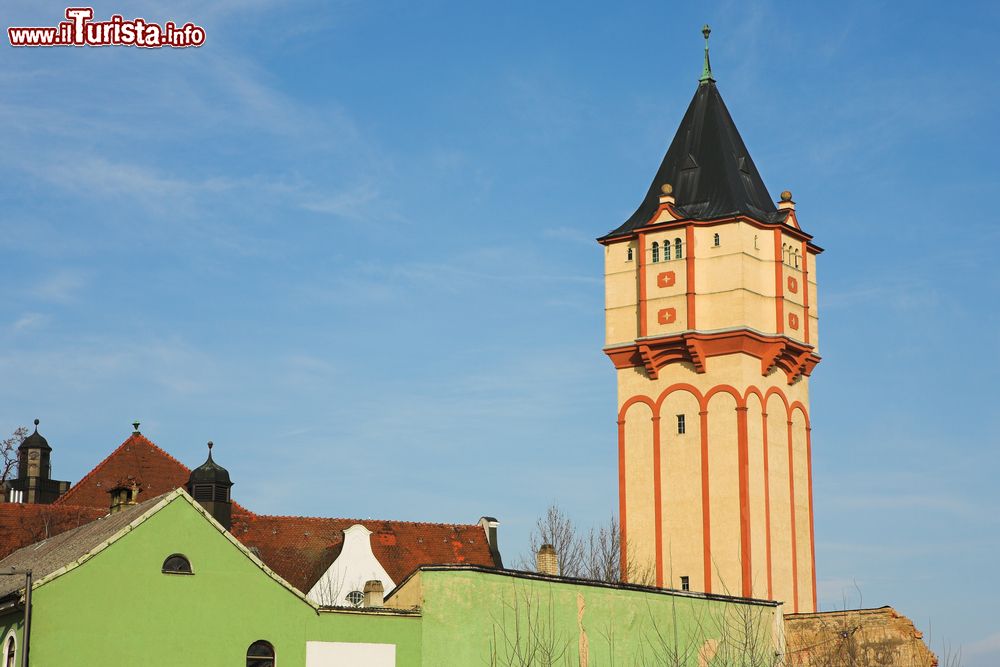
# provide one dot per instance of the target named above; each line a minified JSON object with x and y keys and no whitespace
{"x":115,"y":591}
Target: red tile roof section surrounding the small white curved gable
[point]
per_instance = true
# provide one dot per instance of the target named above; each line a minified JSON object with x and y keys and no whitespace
{"x":301,"y":549}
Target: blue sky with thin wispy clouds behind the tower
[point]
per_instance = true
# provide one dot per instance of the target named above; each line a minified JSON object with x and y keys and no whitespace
{"x":352,"y":243}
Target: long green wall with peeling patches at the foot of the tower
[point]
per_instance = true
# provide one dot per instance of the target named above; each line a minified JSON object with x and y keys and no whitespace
{"x":478,"y":618}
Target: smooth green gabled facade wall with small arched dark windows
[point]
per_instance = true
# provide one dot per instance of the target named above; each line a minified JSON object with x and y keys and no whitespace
{"x":119,"y":608}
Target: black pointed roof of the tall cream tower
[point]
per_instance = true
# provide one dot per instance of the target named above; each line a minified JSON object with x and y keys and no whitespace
{"x":709,"y":167}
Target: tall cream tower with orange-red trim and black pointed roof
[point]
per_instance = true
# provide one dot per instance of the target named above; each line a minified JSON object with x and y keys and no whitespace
{"x":710,"y":300}
